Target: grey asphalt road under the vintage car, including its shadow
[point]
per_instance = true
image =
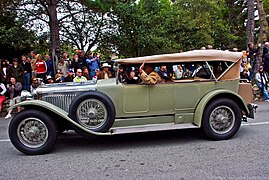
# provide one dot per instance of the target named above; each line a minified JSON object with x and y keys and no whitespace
{"x":182,"y":154}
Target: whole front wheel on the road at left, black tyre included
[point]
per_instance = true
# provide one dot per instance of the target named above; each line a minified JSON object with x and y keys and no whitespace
{"x":33,"y":132}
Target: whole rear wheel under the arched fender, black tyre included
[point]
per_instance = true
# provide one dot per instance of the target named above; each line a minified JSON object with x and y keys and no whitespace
{"x":221,"y":119}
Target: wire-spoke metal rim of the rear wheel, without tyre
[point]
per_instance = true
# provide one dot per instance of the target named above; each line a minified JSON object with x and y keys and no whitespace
{"x":222,"y":119}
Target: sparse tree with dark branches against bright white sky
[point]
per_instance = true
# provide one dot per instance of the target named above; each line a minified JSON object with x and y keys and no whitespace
{"x":84,"y":24}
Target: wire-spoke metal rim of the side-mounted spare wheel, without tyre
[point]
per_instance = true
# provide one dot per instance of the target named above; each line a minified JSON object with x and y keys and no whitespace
{"x":91,"y":113}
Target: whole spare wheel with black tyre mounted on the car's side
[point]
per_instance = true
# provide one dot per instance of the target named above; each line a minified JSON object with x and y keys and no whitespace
{"x":93,"y":110}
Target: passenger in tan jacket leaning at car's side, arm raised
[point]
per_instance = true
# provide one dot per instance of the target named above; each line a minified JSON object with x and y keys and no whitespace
{"x":148,"y":75}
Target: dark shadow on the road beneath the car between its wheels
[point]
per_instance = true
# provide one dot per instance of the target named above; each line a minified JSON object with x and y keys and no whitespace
{"x":70,"y":141}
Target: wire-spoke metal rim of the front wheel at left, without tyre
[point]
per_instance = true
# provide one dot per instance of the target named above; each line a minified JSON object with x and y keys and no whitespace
{"x":32,"y":132}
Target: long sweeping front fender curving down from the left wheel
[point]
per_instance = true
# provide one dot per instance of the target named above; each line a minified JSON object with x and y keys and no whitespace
{"x":56,"y":110}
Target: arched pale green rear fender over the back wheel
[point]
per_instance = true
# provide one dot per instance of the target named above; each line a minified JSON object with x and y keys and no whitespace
{"x":199,"y":110}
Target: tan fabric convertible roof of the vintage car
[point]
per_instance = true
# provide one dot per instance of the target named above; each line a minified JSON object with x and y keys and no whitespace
{"x":196,"y":55}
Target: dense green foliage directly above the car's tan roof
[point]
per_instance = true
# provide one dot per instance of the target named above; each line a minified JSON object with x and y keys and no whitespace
{"x":158,"y":26}
